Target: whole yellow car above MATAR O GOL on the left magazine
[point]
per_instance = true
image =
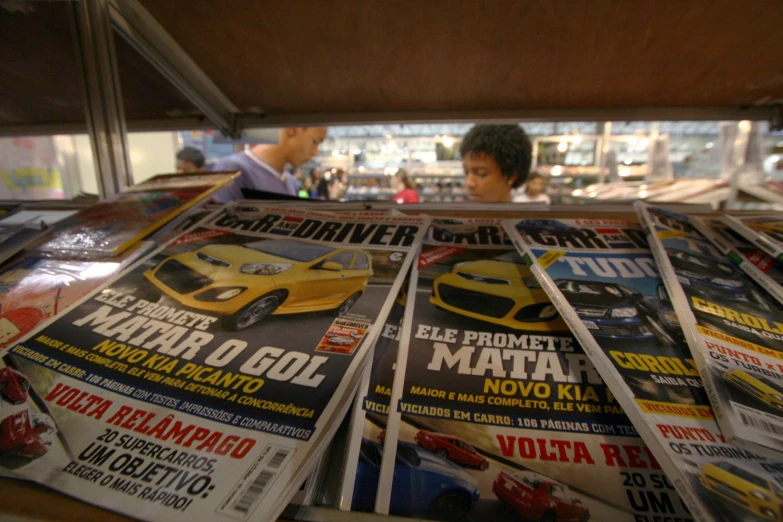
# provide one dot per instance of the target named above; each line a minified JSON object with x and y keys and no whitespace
{"x":245,"y":283}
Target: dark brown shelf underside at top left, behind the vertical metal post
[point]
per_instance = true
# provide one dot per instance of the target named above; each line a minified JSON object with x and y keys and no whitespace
{"x":39,"y":74}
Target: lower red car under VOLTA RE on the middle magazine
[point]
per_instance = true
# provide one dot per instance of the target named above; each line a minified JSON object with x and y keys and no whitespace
{"x":537,"y":497}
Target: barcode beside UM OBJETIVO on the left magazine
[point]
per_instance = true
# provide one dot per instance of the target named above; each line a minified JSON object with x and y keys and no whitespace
{"x":255,"y":483}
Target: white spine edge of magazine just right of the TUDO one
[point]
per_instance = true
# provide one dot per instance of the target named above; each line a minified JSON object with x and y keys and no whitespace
{"x":686,"y":317}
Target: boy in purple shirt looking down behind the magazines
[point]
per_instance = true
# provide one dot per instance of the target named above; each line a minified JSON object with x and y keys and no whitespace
{"x":262,"y":166}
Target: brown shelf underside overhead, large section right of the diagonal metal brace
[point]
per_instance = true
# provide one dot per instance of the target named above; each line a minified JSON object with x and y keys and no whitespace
{"x":313,"y":56}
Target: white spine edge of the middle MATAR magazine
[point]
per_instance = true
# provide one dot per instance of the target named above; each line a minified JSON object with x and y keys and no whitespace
{"x":386,"y":474}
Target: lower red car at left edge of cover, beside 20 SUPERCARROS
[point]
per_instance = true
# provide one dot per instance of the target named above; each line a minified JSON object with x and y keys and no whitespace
{"x":25,"y":436}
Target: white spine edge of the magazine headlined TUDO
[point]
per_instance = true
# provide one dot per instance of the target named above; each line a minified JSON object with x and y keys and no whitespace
{"x":610,"y":376}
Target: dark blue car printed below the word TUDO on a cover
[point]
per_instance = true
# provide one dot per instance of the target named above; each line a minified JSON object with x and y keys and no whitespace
{"x":614,"y":310}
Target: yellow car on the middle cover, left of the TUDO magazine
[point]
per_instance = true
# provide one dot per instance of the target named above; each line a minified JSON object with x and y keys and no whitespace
{"x":500,"y":290}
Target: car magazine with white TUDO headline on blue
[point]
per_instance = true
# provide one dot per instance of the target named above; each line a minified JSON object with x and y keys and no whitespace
{"x":603,"y":279}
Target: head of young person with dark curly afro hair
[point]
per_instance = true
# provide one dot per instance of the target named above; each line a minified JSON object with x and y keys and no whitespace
{"x":496,"y":160}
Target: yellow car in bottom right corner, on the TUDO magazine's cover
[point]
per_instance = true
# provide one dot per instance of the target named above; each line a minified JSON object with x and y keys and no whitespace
{"x":746,"y":489}
